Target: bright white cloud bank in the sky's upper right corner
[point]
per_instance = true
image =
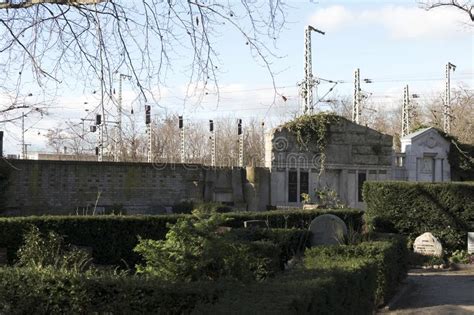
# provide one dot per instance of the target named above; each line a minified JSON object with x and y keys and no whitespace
{"x":400,"y":21}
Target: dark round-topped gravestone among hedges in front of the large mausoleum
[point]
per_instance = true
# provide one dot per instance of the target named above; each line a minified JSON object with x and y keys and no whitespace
{"x":327,"y":229}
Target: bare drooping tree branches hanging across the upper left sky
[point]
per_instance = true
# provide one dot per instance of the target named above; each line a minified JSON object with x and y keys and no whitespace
{"x":93,"y":40}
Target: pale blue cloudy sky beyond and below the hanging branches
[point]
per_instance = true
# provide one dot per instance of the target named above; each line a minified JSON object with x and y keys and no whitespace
{"x":393,"y":43}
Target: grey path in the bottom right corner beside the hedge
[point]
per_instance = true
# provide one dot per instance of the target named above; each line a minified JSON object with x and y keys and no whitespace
{"x":440,"y":292}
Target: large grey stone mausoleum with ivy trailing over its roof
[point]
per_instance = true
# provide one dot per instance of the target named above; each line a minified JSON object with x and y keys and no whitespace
{"x":337,"y":155}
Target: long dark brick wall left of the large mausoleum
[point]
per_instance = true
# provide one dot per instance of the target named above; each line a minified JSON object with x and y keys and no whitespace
{"x":67,"y":187}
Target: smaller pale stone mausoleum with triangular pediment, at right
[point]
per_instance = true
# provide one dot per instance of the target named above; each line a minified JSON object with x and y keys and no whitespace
{"x":423,"y":157}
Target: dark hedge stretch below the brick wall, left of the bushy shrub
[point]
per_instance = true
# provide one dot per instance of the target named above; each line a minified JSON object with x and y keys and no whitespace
{"x":112,"y":238}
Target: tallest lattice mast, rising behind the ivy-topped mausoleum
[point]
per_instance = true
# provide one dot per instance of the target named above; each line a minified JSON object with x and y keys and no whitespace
{"x":309,"y":82}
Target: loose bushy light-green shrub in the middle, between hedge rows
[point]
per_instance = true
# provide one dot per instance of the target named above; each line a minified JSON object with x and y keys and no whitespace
{"x":194,"y":250}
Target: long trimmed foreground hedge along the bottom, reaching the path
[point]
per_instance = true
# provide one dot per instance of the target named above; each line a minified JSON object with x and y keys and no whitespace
{"x":336,"y":284}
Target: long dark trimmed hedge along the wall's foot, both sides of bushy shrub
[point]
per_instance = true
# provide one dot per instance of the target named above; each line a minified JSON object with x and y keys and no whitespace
{"x":113,"y":238}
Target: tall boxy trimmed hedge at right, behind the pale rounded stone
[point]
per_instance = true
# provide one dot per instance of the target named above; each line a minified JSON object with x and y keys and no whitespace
{"x":411,"y":209}
